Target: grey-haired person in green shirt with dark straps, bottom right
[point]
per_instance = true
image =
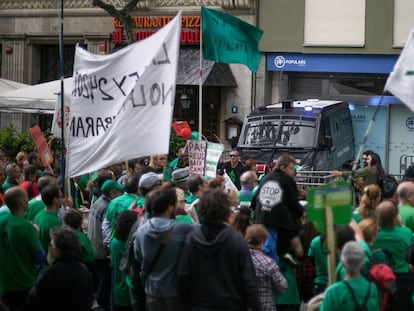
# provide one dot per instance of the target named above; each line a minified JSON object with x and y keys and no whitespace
{"x":354,"y":292}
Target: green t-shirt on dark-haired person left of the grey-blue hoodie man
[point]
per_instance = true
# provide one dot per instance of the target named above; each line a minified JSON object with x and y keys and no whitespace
{"x":120,"y":287}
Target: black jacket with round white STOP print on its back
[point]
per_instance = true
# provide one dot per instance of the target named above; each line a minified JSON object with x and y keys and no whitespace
{"x":276,"y":202}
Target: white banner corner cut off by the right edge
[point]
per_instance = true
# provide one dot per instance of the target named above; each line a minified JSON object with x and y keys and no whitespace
{"x":401,"y":80}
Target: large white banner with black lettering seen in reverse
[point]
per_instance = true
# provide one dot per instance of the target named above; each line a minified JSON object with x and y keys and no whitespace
{"x":122,"y":103}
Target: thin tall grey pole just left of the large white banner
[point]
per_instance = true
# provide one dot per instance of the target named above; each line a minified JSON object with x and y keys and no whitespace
{"x":62,"y":104}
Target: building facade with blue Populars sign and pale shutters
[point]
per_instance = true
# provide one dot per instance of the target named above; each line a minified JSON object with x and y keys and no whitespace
{"x":341,"y":50}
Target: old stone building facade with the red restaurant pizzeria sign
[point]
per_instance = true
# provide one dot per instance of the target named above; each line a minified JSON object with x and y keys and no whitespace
{"x":29,"y":41}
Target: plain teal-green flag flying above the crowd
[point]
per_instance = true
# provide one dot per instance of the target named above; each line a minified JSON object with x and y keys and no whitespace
{"x":227,"y":39}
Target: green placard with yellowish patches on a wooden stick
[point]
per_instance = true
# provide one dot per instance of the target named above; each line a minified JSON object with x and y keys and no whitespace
{"x":337,"y":195}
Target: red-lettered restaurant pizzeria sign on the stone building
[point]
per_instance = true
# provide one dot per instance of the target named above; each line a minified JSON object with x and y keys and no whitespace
{"x":147,"y":25}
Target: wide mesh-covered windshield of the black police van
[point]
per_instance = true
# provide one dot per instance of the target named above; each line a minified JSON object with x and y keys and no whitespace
{"x":279,"y":133}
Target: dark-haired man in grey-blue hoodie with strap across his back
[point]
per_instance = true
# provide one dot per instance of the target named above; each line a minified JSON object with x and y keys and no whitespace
{"x":158,"y":245}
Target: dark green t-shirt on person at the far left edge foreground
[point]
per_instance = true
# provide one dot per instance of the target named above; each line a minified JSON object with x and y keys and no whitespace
{"x":18,"y":244}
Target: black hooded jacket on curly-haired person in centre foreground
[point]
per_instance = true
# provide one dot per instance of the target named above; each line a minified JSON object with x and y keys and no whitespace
{"x":216,"y":271}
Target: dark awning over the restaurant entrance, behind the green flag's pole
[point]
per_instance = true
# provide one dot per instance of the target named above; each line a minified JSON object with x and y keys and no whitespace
{"x":213,"y":74}
